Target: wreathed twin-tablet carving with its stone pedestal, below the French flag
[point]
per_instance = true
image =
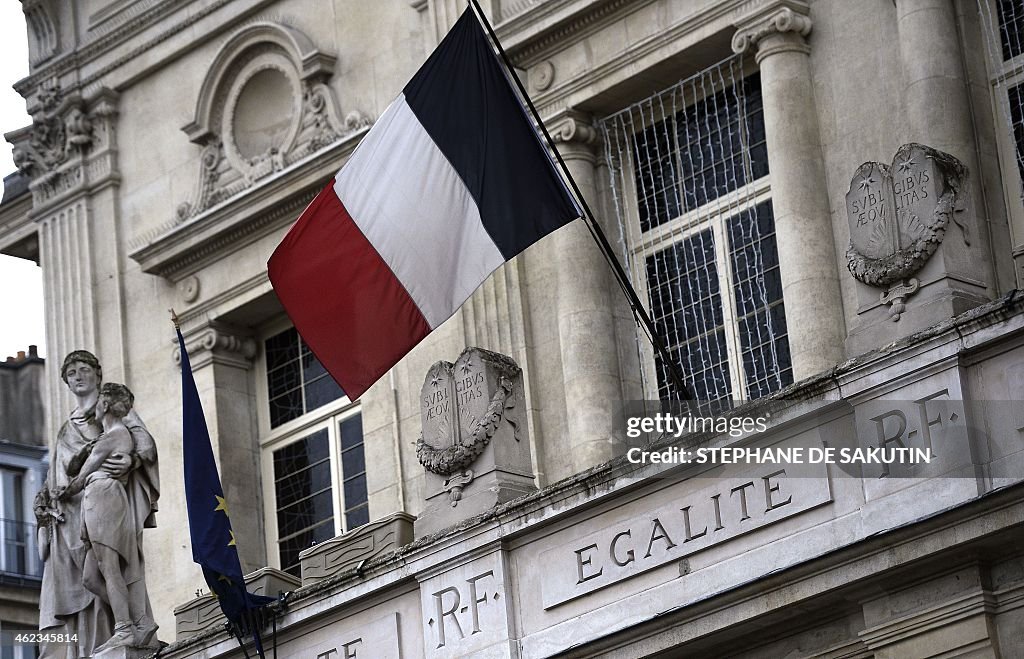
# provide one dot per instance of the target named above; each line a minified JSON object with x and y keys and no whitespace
{"x":475,"y":447}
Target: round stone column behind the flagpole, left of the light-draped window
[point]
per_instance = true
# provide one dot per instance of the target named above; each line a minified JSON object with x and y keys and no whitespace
{"x":586,"y":324}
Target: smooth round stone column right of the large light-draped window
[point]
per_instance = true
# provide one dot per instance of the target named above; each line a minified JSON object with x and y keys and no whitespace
{"x":800,"y":198}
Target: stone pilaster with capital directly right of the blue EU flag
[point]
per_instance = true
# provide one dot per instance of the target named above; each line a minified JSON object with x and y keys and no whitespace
{"x":222,"y":360}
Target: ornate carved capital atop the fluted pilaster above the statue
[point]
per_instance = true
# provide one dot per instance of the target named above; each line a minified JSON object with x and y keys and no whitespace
{"x":70,"y":146}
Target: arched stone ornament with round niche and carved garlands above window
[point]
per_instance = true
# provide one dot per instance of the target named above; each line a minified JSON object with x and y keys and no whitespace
{"x":264,"y":107}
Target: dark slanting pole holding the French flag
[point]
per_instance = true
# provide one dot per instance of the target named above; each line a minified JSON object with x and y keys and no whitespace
{"x":639,"y":314}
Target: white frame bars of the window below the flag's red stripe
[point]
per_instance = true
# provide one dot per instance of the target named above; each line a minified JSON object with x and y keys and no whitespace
{"x":327,"y":417}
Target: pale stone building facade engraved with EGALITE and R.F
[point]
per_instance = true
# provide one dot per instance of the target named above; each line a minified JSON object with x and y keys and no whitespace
{"x":175,"y":143}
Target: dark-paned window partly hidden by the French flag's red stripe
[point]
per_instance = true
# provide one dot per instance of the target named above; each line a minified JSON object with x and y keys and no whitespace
{"x":313,"y":452}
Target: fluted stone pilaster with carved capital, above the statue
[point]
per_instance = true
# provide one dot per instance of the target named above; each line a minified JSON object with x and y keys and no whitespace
{"x":70,"y":153}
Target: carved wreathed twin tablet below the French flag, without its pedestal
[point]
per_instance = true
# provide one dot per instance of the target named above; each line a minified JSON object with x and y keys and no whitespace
{"x":463,"y":406}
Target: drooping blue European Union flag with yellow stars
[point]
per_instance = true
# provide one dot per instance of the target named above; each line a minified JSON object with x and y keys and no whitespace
{"x":212,"y":539}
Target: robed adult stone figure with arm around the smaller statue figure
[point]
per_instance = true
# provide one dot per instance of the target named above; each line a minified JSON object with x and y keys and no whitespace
{"x":75,"y":598}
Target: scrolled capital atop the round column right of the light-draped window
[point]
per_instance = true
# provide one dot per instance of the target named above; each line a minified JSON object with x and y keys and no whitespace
{"x":788,"y":19}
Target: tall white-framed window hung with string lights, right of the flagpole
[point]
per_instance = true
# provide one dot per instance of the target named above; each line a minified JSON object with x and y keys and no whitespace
{"x":691,"y":181}
